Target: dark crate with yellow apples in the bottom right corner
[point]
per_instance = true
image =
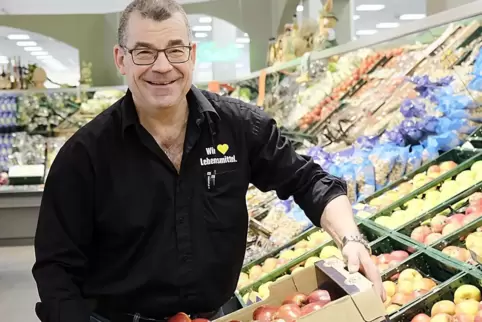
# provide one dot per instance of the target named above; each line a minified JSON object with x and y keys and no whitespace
{"x":456,"y":301}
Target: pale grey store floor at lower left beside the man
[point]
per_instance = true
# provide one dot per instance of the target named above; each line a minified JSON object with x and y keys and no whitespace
{"x":18,"y":293}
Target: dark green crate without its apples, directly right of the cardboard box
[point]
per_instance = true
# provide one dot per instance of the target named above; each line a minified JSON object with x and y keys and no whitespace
{"x":429,"y":266}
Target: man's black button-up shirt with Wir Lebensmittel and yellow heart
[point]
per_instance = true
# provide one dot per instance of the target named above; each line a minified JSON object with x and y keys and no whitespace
{"x":118,"y":223}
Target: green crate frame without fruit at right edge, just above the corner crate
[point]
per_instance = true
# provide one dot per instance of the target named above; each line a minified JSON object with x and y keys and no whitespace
{"x":457,"y":239}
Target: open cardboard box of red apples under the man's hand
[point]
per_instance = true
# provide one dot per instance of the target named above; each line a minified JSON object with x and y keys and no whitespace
{"x":323,"y":292}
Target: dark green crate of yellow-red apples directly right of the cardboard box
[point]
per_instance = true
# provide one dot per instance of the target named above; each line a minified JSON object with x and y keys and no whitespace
{"x":414,"y":278}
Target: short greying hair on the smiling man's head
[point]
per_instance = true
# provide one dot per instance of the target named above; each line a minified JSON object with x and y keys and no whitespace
{"x":158,"y":10}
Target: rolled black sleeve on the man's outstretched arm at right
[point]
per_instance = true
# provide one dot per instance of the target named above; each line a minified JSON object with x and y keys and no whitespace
{"x":275,"y":165}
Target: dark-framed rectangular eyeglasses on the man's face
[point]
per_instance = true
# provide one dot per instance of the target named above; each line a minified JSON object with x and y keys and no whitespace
{"x":148,"y":56}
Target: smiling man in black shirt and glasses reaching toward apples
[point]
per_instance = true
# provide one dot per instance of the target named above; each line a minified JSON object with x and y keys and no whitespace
{"x":144,"y":213}
